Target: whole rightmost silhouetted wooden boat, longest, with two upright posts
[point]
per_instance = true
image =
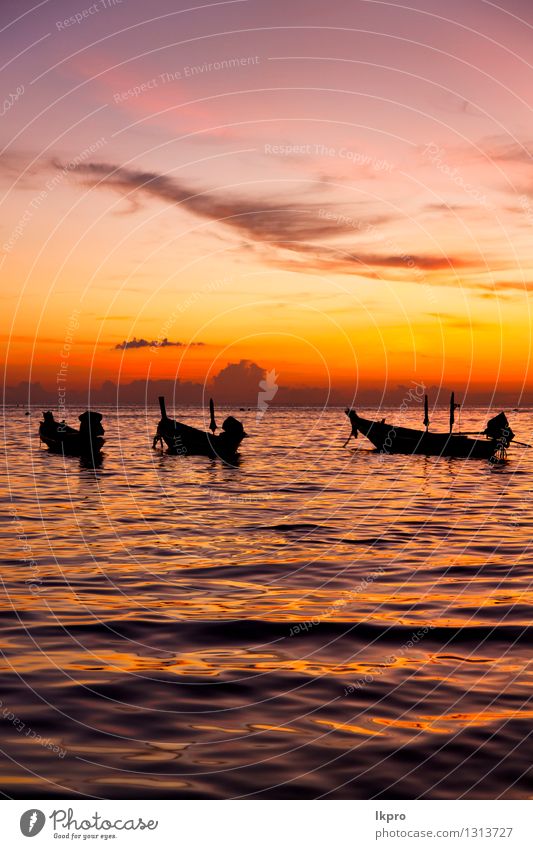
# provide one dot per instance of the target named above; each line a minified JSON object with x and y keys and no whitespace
{"x":489,"y":444}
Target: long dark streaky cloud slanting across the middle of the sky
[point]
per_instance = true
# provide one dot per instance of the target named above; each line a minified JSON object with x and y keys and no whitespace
{"x":291,"y":234}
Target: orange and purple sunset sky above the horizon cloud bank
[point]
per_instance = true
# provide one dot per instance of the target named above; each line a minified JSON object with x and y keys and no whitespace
{"x":341,"y":192}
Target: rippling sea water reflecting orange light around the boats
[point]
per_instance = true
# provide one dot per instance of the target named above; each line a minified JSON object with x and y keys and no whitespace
{"x":317,"y":621}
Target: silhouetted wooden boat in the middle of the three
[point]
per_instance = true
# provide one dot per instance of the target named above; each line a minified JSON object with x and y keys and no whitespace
{"x":186,"y":440}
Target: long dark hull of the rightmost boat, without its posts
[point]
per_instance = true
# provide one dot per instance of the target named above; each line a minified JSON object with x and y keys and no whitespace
{"x":389,"y":439}
